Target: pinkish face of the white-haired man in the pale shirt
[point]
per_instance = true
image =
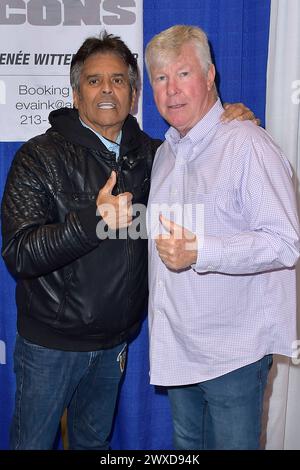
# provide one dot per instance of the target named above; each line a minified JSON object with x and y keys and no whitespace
{"x":183,"y":92}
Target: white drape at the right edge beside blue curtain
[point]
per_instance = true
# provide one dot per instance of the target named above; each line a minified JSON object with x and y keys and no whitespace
{"x":283,"y":123}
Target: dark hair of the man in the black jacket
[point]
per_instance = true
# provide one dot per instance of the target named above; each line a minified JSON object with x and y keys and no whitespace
{"x":104,"y":44}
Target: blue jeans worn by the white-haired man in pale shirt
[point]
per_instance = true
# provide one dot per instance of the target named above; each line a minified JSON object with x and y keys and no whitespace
{"x":222,"y":413}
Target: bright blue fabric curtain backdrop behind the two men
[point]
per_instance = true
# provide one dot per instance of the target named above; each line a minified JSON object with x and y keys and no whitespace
{"x":238,"y":31}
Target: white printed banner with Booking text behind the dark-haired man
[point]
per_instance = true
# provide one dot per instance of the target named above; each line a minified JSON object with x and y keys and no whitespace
{"x":38,"y":40}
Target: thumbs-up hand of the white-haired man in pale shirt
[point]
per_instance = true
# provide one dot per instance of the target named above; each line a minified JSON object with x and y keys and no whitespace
{"x":178,"y":248}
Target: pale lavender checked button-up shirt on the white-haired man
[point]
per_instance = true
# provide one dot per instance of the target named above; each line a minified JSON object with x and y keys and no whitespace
{"x":238,"y":302}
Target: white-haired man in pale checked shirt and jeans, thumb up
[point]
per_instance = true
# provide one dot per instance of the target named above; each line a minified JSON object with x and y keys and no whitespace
{"x":223,"y":243}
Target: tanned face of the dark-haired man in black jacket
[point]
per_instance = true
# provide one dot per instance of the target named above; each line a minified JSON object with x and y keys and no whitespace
{"x":105,"y":97}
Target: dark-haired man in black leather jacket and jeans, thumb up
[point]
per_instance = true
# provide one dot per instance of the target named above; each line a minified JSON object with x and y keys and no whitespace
{"x":80,"y":296}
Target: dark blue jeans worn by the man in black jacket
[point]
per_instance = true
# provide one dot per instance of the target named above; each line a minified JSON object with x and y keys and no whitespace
{"x":49,"y":381}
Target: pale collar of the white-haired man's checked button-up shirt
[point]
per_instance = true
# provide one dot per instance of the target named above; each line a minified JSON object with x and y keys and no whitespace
{"x":201,"y":129}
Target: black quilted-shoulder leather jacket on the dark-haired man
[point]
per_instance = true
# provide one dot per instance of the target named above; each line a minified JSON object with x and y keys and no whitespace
{"x":74,"y":291}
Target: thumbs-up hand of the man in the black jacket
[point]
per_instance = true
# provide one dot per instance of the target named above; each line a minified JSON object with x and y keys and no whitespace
{"x":116,"y":211}
